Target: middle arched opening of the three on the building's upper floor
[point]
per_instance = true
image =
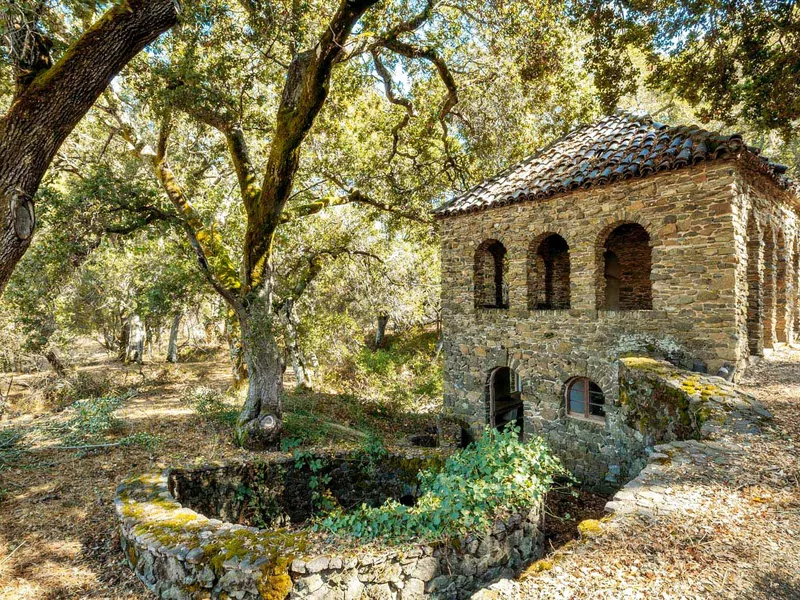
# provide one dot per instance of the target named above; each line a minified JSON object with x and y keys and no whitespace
{"x":548,"y":273}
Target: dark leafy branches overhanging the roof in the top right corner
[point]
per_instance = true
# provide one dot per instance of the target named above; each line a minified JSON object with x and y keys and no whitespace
{"x":730,"y":60}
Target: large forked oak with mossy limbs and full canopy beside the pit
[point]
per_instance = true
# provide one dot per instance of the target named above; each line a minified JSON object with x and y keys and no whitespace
{"x":264,"y":86}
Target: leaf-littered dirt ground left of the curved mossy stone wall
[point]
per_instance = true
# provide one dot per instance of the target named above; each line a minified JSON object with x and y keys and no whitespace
{"x":57,"y":533}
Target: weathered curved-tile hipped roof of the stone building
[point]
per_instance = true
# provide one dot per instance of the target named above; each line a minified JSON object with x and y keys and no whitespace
{"x":615,"y":148}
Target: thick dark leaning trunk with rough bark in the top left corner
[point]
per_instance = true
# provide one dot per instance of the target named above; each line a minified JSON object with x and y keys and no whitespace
{"x":45,"y":111}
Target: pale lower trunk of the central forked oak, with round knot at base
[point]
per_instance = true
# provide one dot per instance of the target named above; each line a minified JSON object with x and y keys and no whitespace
{"x":259,"y":425}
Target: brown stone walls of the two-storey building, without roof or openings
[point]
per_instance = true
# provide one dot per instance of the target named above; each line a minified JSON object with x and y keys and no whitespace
{"x":696,"y":220}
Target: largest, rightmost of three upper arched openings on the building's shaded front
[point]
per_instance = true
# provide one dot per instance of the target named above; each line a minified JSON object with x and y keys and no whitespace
{"x":626,"y":261}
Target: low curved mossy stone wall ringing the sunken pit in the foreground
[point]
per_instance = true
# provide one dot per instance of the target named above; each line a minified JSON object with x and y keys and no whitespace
{"x":178,"y":553}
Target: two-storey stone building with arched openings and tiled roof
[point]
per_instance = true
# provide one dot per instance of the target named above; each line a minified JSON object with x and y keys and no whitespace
{"x":626,"y":236}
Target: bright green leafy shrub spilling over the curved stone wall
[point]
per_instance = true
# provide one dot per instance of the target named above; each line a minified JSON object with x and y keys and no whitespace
{"x":495,"y":475}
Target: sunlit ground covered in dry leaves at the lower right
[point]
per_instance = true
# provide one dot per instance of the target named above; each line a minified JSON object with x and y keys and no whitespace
{"x":740,"y":539}
